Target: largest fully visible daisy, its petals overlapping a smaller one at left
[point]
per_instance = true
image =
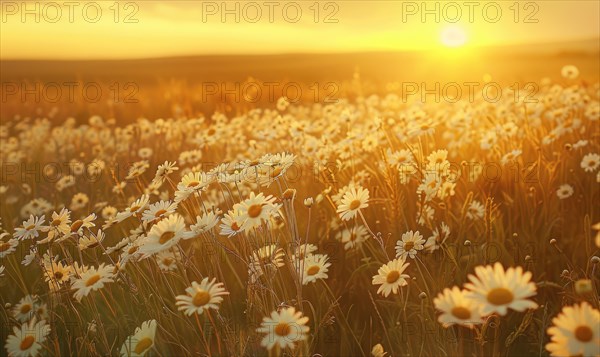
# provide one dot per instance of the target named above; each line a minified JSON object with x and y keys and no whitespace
{"x":498,"y":290}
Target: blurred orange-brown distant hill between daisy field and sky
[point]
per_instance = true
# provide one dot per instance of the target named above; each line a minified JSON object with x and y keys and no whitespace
{"x":518,"y":61}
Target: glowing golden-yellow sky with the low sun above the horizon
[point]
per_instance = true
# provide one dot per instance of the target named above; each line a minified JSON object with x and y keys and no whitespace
{"x":138,"y":29}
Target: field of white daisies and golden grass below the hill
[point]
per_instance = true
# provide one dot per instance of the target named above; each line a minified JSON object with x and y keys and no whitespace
{"x":368,"y":226}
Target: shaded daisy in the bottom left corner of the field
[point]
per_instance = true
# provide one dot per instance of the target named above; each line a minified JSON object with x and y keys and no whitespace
{"x":27,"y":340}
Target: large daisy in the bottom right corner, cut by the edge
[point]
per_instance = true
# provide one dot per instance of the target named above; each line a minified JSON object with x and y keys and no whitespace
{"x":576,"y":332}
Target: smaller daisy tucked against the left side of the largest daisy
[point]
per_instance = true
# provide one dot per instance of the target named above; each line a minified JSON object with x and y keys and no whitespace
{"x":456,"y":308}
